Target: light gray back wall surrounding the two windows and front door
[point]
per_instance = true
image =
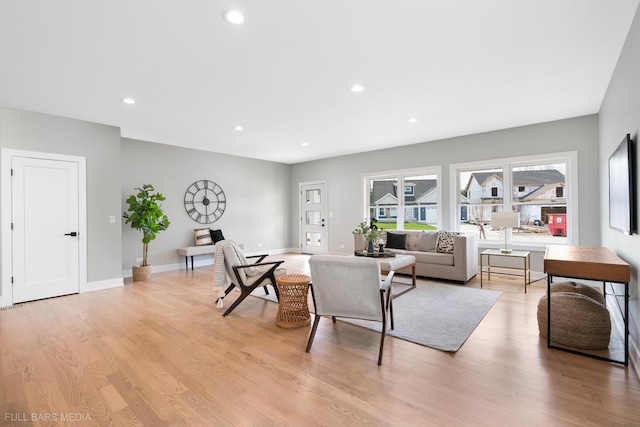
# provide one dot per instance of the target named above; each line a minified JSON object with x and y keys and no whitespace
{"x":344,"y":174}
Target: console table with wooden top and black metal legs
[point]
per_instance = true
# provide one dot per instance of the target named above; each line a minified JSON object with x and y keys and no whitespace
{"x":588,"y":263}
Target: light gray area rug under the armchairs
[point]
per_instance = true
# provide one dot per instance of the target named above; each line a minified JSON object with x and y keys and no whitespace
{"x":436,"y":315}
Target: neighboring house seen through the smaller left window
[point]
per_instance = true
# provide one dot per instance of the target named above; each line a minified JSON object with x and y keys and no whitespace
{"x":420,"y":201}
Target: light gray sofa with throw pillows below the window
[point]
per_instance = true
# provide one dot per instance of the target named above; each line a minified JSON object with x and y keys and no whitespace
{"x":439,"y":254}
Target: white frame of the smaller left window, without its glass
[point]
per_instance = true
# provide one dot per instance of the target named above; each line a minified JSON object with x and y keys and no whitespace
{"x":400,"y":175}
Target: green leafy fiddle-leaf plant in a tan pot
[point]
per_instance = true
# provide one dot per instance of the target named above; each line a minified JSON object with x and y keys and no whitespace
{"x":145,"y":215}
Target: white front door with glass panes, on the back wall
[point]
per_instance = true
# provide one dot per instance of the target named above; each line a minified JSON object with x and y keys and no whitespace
{"x":313,"y":229}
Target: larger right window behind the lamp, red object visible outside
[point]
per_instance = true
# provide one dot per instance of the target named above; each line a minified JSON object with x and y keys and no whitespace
{"x":539,"y":188}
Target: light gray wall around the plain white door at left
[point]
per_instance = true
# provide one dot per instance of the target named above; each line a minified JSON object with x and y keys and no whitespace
{"x":100,"y":145}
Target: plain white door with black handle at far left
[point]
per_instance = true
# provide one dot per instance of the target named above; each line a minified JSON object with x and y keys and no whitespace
{"x":45,"y":221}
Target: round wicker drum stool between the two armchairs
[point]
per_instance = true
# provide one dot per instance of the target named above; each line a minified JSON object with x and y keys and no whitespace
{"x":293,"y":311}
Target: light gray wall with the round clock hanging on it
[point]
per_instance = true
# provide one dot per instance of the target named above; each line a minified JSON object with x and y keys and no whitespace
{"x":257,"y":212}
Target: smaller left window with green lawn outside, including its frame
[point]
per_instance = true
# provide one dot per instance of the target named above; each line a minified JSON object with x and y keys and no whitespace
{"x":404,"y":199}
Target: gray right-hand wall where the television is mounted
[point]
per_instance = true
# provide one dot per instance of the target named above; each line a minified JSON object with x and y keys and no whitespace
{"x":619,"y":115}
